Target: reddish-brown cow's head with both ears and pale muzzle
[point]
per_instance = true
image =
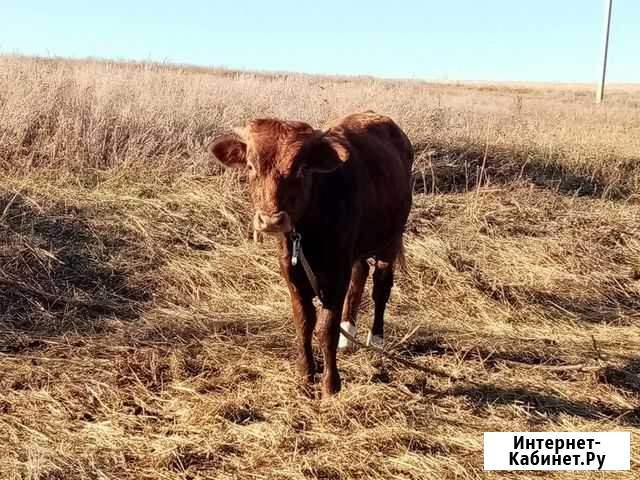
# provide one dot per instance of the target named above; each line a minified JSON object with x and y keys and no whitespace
{"x":281,"y":159}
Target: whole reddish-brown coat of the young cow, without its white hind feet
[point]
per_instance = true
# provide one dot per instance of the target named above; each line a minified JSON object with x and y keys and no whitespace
{"x":347,"y":191}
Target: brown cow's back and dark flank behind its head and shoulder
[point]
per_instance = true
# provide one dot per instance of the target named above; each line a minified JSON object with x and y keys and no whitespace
{"x":381,"y":161}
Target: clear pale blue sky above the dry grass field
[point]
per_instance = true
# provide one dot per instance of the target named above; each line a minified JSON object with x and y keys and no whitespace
{"x":528,"y":40}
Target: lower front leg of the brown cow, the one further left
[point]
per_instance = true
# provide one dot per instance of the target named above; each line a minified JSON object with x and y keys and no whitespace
{"x":304,"y":317}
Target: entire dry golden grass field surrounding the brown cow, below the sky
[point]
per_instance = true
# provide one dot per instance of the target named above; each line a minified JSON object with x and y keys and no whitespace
{"x":144,"y":335}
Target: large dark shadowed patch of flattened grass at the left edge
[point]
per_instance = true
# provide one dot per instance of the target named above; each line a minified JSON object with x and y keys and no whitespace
{"x":55,"y":274}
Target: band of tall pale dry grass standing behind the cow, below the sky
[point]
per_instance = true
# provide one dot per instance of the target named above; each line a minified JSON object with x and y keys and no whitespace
{"x":99,"y":118}
